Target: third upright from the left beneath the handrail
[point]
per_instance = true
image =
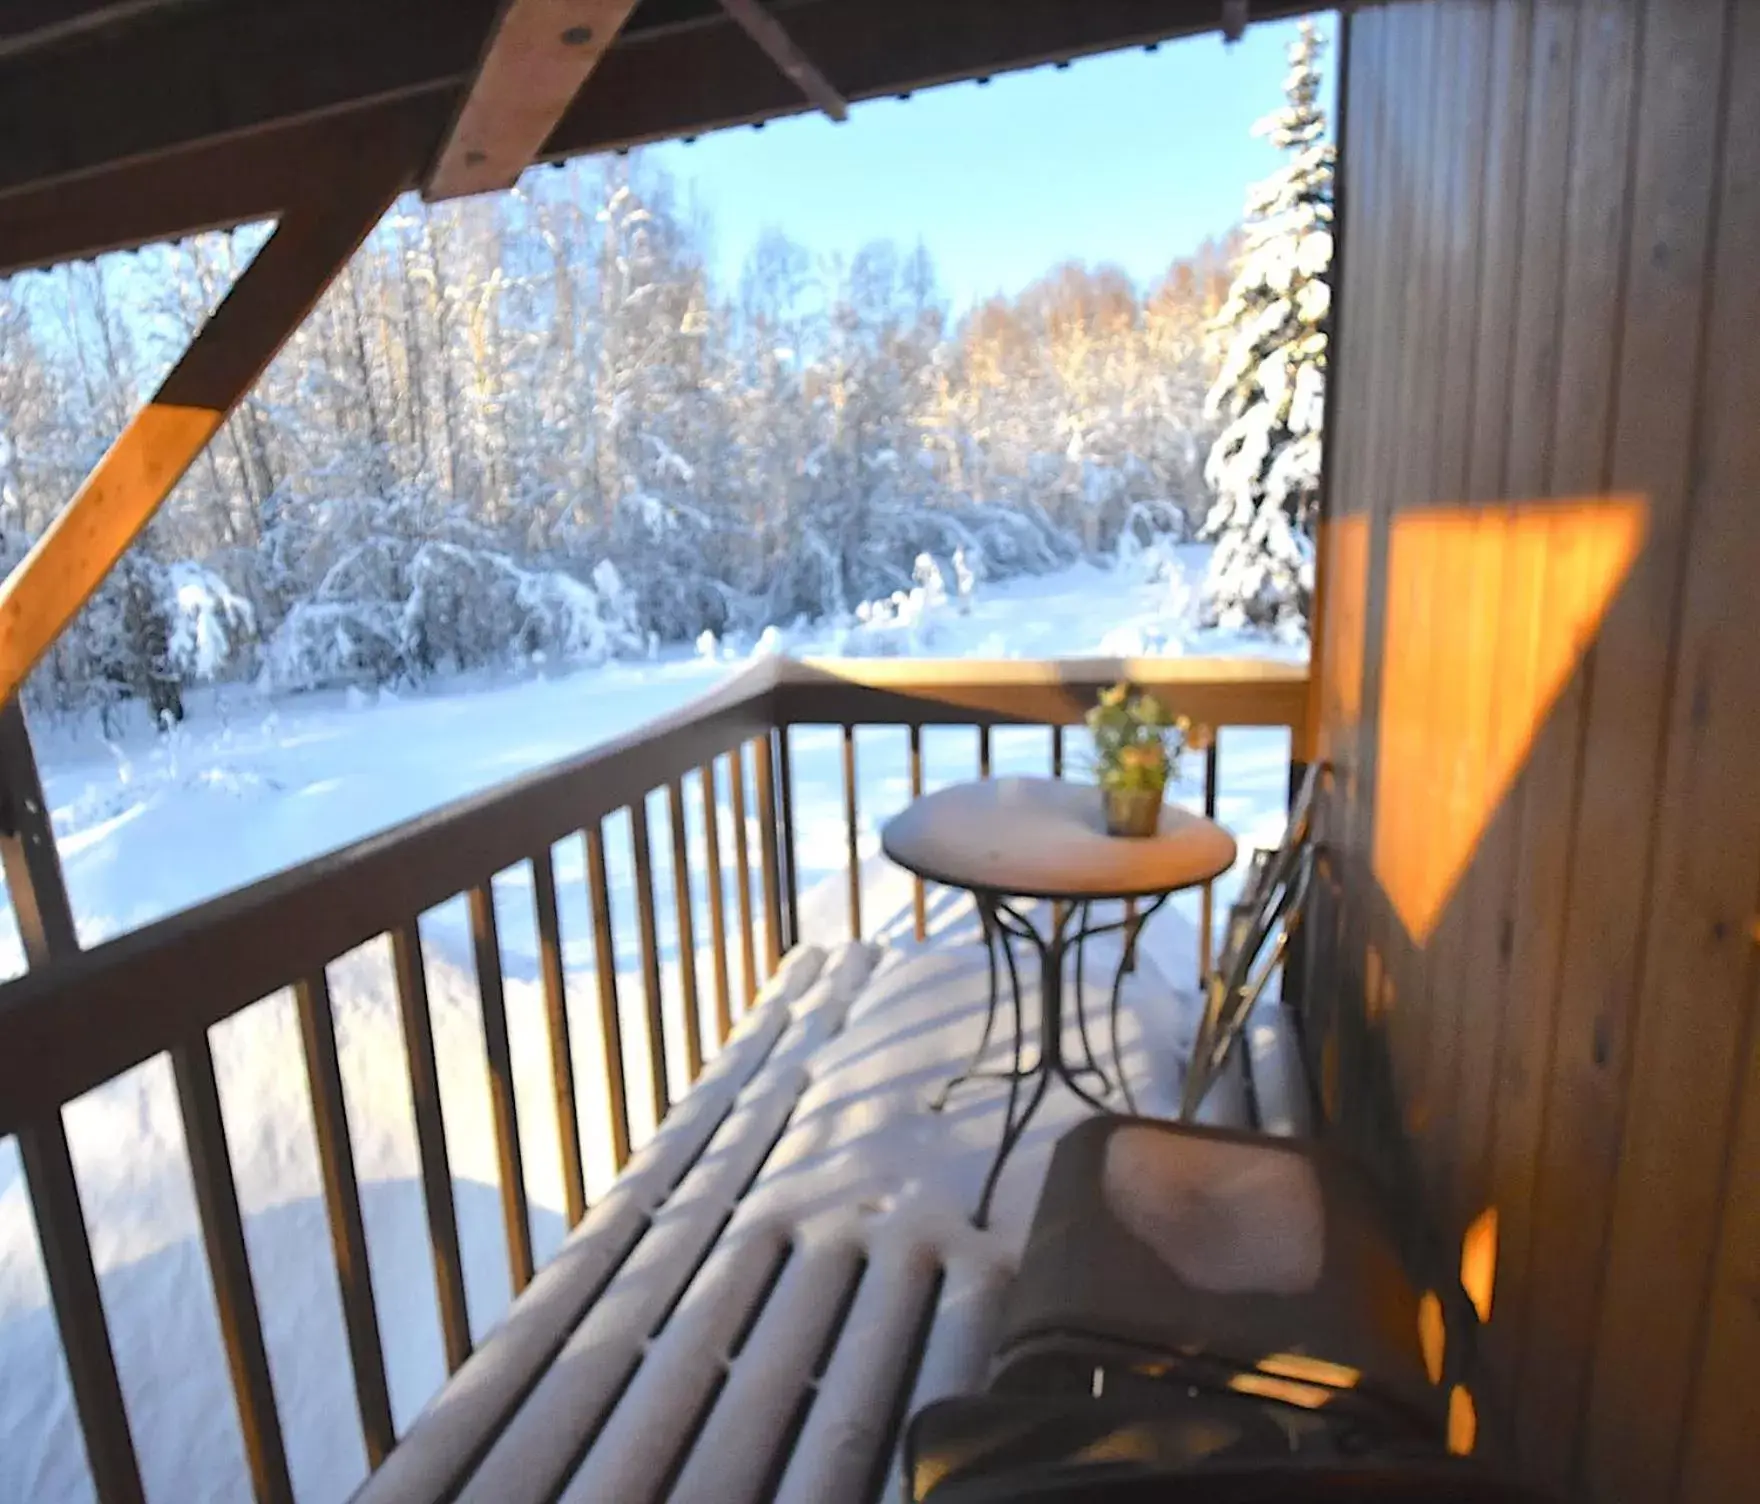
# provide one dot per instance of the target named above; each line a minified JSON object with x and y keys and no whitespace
{"x":342,"y":1204}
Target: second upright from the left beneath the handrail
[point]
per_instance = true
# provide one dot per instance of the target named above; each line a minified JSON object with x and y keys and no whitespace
{"x":193,"y":1070}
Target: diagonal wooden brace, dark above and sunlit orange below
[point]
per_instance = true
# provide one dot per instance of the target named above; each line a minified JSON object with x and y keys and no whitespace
{"x":268,"y":302}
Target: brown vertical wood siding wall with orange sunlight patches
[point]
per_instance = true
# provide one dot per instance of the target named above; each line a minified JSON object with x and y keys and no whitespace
{"x":1543,"y":699}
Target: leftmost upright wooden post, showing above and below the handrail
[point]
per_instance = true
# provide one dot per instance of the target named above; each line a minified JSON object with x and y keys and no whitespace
{"x":47,"y":931}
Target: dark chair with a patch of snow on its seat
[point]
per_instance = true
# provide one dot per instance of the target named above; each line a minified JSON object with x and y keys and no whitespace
{"x":1221,"y":1260}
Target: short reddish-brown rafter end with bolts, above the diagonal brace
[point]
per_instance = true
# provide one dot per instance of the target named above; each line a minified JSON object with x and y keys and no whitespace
{"x":539,"y":55}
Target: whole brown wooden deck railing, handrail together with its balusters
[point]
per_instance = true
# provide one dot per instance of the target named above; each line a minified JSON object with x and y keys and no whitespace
{"x":78,"y":1021}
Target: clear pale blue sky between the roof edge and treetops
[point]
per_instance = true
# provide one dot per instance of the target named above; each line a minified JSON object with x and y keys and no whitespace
{"x":1131,"y":157}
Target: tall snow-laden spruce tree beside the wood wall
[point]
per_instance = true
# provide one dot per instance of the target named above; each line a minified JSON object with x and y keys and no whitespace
{"x":1270,"y":395}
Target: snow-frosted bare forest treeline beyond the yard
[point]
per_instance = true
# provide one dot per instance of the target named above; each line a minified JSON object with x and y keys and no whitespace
{"x":536,"y":425}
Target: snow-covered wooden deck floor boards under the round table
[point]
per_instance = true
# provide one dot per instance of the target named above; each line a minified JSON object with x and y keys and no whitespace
{"x":789,"y":1267}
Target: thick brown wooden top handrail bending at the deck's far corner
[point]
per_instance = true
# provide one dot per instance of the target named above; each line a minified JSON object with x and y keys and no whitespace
{"x":80,"y":1023}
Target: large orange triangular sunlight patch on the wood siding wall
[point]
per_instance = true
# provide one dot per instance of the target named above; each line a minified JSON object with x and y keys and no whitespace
{"x":1490,"y":611}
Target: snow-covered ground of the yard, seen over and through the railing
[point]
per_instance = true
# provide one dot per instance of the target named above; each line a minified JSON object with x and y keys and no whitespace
{"x":247,"y":787}
